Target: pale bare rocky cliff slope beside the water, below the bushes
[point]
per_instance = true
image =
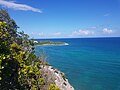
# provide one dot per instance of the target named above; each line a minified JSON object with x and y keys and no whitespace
{"x":58,"y":78}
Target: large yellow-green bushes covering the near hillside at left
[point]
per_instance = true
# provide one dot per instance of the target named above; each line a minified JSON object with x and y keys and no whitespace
{"x":19,"y":67}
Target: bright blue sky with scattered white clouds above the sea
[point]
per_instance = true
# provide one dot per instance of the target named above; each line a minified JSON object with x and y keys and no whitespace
{"x":65,"y":18}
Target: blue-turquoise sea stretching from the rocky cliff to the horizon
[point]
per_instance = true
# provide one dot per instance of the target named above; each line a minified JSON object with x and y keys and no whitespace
{"x":89,"y":63}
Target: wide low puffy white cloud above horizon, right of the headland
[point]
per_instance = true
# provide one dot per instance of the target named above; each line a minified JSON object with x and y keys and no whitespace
{"x":82,"y":33}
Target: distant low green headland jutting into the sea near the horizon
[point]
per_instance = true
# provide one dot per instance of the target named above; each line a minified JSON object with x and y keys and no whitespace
{"x":49,"y":43}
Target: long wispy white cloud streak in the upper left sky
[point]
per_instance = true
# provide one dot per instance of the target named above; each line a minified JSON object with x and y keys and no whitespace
{"x":15,"y":6}
